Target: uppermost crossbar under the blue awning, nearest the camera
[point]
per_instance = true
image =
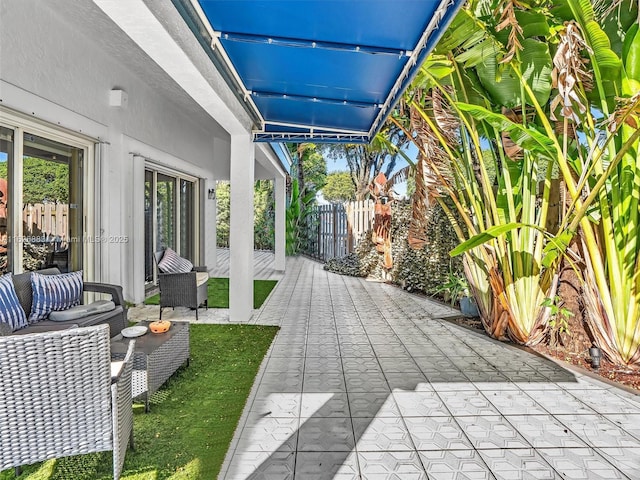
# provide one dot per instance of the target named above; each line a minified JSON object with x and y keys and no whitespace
{"x":302,"y":43}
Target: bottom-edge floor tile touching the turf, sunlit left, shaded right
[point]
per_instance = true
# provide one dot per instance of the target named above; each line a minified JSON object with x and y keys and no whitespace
{"x":262,"y":466}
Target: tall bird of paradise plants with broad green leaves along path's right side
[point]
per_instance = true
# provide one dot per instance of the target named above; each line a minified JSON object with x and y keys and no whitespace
{"x":496,"y":191}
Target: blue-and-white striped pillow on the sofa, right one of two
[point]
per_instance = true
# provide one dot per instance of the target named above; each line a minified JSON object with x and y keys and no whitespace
{"x":54,"y":293}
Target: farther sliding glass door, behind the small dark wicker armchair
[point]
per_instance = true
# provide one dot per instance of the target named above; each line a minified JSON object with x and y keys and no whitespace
{"x":170,"y":213}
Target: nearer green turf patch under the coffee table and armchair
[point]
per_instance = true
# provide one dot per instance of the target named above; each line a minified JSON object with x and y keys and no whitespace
{"x":192,"y":418}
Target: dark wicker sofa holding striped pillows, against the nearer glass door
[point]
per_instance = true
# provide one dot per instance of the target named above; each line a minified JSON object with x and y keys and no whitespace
{"x":116,"y":318}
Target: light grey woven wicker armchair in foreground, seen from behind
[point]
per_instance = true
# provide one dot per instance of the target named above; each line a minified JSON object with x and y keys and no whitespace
{"x":58,"y":397}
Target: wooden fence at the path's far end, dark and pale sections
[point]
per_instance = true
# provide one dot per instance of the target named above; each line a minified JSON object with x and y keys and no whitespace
{"x":335,"y":230}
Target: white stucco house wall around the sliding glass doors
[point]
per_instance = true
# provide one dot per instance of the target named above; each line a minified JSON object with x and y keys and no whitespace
{"x":58,"y":71}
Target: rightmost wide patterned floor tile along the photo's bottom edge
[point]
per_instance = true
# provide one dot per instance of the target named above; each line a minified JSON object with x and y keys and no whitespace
{"x":580,"y":464}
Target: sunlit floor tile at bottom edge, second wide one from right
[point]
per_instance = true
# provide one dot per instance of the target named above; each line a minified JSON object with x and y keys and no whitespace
{"x":518,"y":464}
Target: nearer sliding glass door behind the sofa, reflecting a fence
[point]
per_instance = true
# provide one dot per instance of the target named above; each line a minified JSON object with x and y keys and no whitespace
{"x":41,"y":201}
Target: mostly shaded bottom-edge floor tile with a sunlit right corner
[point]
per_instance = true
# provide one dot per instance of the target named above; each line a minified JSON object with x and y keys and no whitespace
{"x":327,"y":465}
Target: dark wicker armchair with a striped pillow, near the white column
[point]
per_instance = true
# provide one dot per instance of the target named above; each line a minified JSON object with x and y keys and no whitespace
{"x":181,"y":289}
